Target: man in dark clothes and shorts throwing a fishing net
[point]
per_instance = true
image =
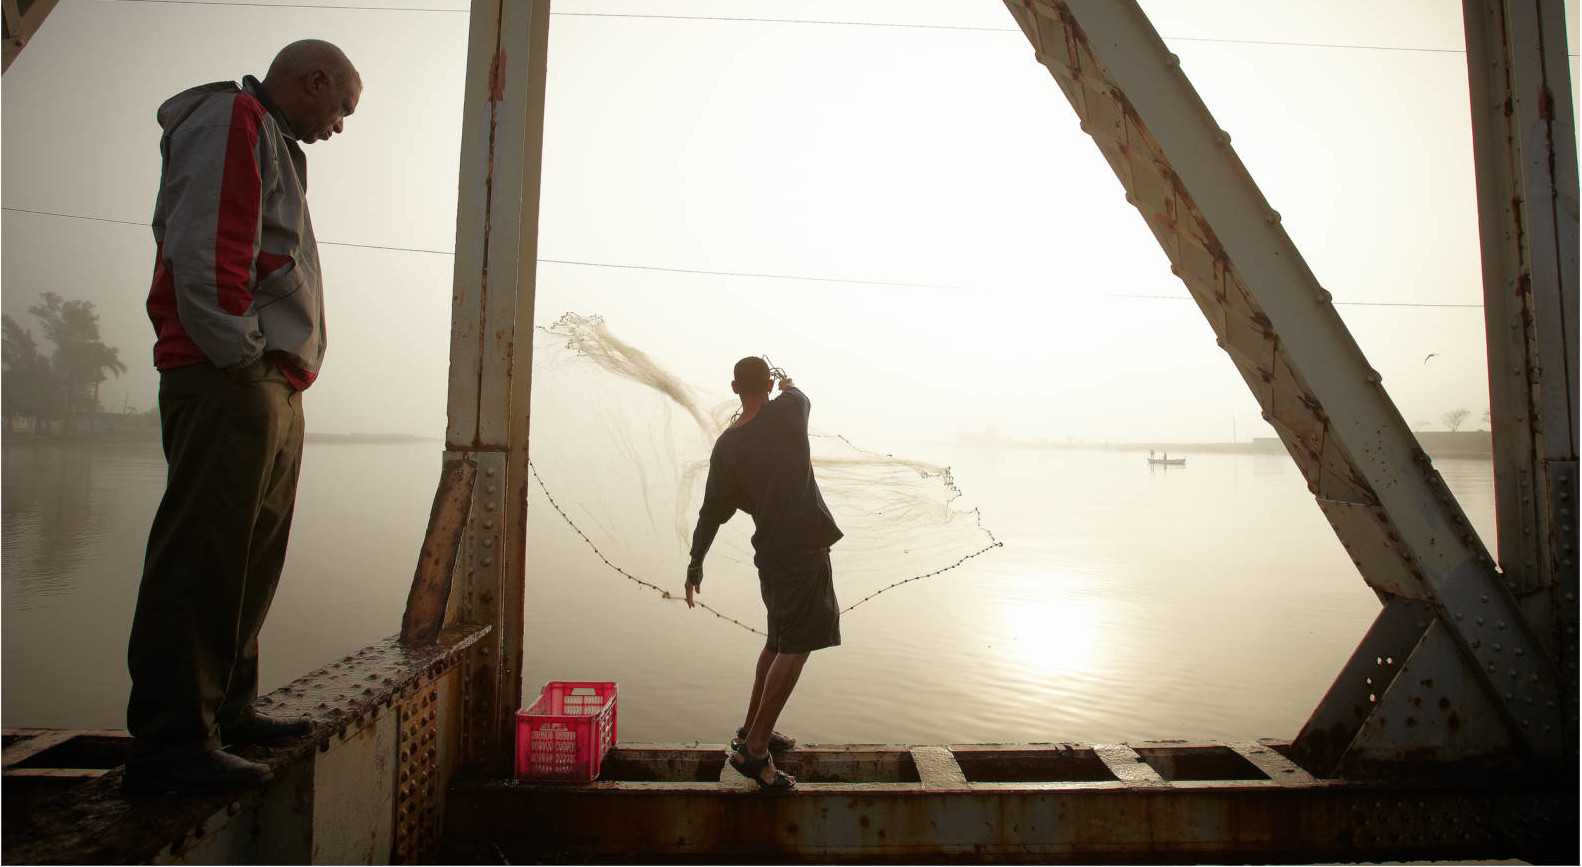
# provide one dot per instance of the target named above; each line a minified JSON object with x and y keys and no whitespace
{"x":763,"y":466}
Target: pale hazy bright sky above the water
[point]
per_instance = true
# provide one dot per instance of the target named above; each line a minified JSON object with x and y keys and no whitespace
{"x":937,"y":157}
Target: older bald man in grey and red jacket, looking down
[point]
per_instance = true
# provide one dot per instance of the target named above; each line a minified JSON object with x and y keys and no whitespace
{"x":240,"y":331}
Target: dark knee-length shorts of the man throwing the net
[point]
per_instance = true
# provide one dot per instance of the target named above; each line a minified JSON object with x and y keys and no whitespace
{"x":800,"y":593}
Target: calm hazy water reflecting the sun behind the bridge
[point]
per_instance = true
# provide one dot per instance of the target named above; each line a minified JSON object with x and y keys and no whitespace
{"x":1208,"y":602}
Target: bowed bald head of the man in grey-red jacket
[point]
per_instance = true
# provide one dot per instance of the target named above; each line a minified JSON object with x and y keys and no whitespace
{"x":316,"y":86}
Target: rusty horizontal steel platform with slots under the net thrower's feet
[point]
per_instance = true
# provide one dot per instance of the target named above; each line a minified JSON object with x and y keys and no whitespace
{"x":1045,"y":803}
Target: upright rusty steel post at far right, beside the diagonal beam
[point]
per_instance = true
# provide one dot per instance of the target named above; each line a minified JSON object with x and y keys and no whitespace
{"x":1526,"y":162}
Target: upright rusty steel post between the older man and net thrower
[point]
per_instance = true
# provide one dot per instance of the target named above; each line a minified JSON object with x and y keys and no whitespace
{"x":493,"y":352}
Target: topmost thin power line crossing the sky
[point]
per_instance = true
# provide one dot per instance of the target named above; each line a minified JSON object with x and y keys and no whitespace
{"x":766,"y":20}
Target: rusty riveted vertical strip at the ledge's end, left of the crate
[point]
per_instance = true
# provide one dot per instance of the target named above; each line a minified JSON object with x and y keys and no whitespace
{"x":417,"y":776}
